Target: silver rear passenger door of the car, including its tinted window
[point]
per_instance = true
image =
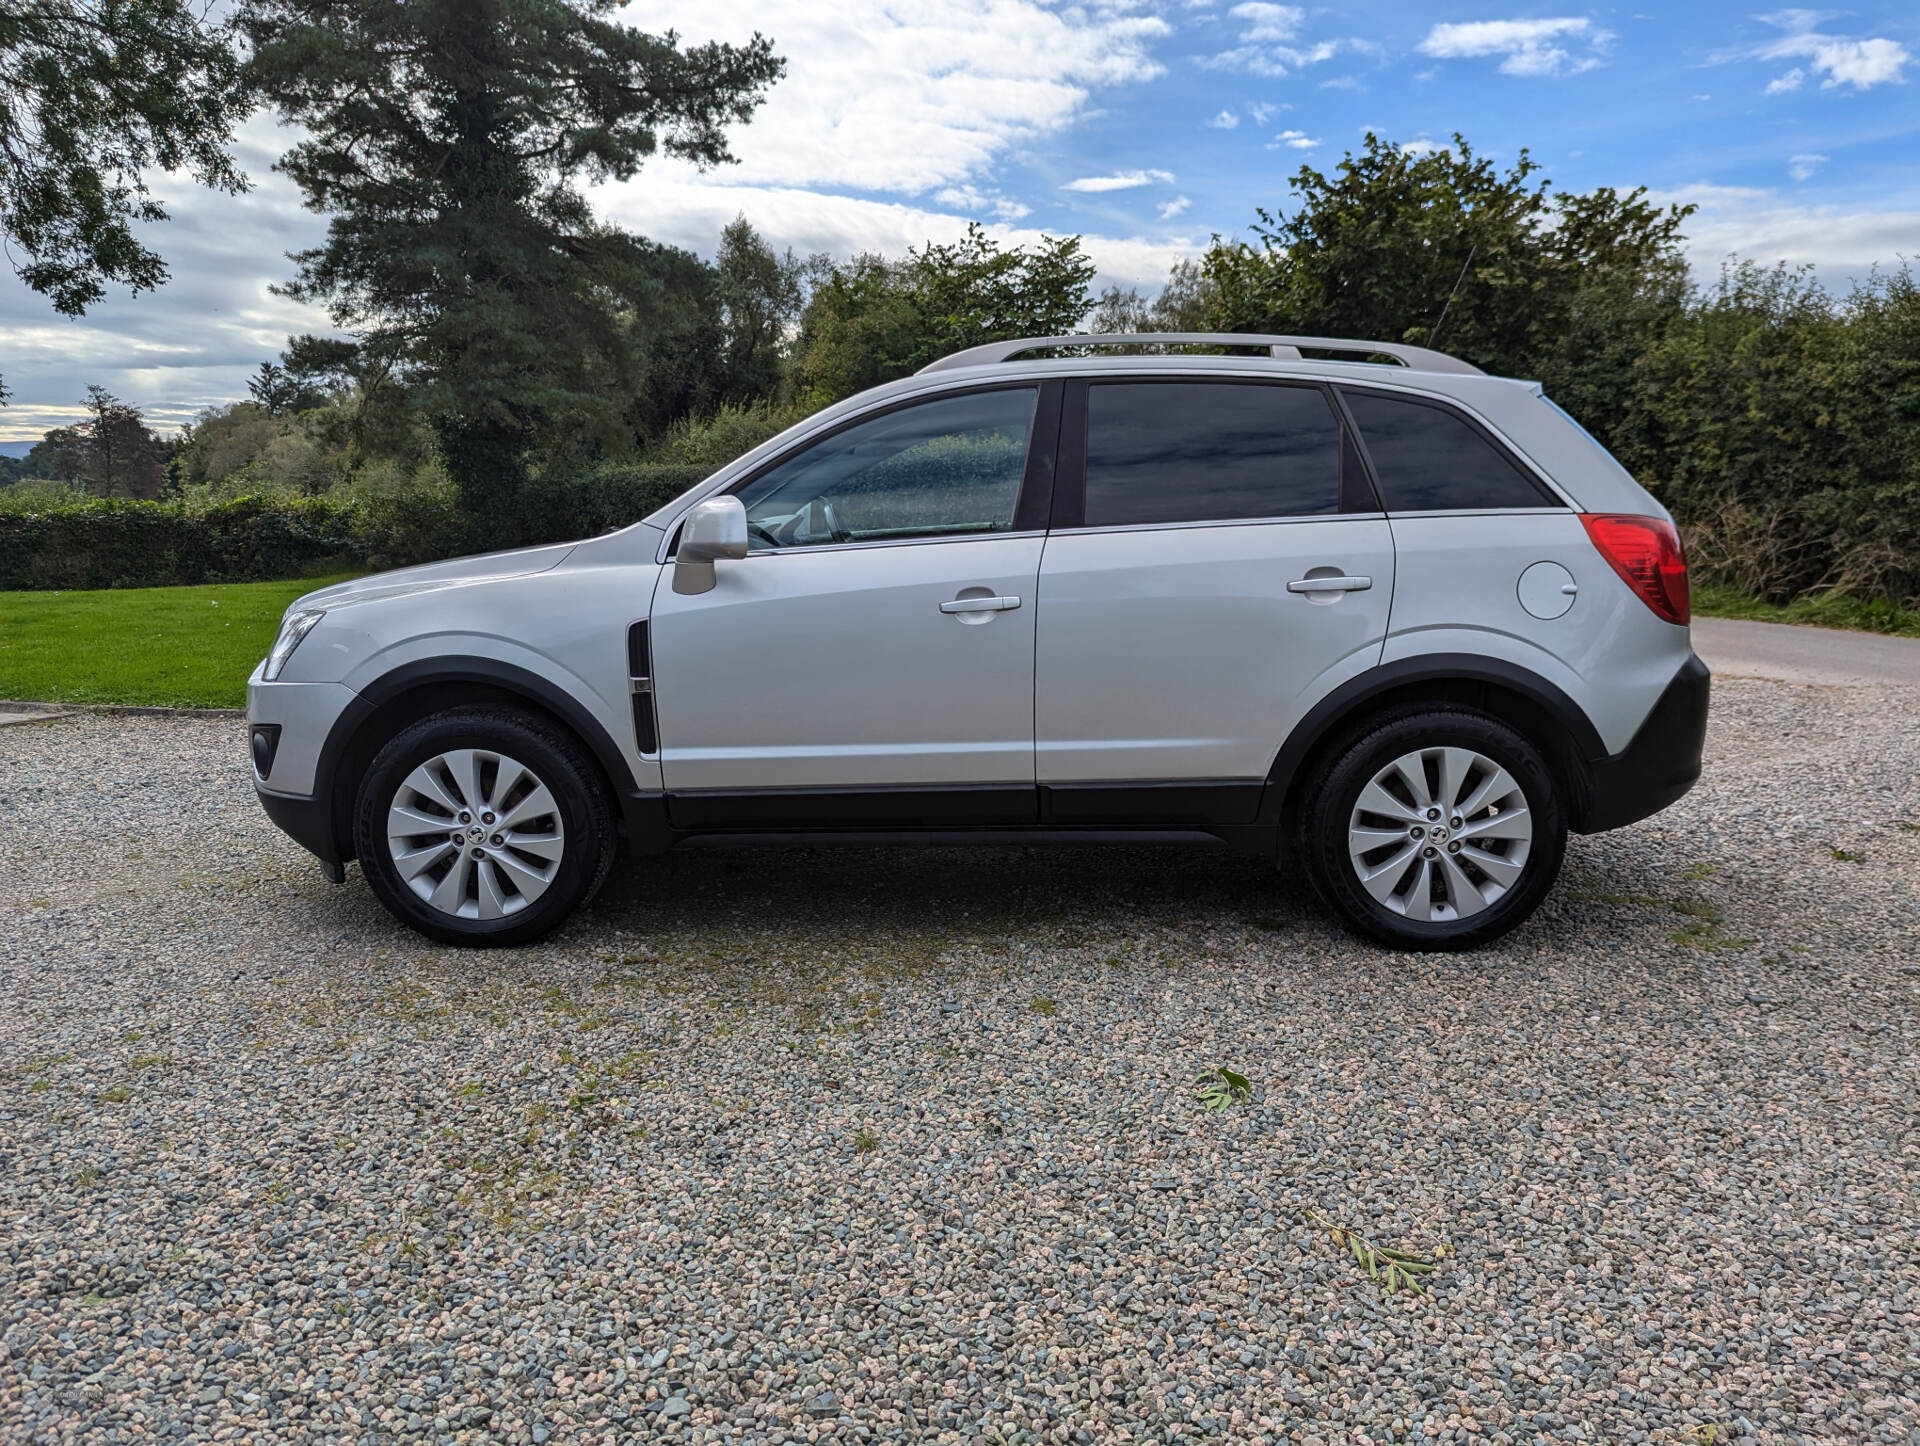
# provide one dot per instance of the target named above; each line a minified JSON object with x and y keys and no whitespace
{"x":1216,"y":566}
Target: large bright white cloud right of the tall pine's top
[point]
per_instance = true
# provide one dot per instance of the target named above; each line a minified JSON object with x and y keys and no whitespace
{"x":911,"y":99}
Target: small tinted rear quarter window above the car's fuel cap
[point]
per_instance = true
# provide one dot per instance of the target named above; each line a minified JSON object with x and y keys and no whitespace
{"x":1429,"y":458}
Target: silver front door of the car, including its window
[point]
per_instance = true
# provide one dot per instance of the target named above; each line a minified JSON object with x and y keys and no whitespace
{"x":871,"y":662}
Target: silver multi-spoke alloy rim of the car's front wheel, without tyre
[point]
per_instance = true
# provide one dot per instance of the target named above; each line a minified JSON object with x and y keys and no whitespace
{"x":475,"y":834}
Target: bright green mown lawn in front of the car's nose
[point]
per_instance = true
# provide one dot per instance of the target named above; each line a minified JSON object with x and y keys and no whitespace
{"x":181,"y":648}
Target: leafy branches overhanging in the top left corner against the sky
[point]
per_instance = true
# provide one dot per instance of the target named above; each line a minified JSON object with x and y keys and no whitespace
{"x":93,"y":97}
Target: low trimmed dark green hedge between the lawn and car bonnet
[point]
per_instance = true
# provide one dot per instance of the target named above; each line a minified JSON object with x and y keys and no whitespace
{"x":158,"y":544}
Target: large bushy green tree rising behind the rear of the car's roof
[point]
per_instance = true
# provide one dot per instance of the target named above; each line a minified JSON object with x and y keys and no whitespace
{"x":1441,"y":251}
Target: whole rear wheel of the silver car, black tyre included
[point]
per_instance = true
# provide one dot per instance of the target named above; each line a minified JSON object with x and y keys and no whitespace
{"x":1454,"y":886}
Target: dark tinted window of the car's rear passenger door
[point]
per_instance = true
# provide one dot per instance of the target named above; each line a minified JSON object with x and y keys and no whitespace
{"x":1207,"y":452}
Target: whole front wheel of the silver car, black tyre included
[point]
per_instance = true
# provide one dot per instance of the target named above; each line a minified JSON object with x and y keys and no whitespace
{"x":533,"y":817}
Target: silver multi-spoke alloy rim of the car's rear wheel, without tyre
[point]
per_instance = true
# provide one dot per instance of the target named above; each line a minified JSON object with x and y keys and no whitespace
{"x":1441,"y":834}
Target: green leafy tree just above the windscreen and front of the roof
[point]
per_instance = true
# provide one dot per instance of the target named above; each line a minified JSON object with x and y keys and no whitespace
{"x":875,"y":320}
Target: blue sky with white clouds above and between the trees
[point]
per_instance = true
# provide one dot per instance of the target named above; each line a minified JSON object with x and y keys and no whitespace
{"x":1143,"y":126}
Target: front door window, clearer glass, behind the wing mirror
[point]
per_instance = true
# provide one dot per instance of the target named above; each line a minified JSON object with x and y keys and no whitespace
{"x":949,"y":466}
